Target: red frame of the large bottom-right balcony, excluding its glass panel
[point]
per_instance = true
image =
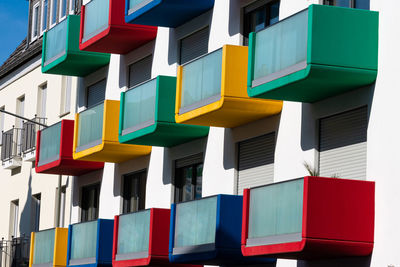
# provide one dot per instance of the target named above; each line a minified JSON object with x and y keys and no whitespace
{"x":338,"y":220}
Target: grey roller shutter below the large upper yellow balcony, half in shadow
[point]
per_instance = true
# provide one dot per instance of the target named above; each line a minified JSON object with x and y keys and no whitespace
{"x":256,"y":162}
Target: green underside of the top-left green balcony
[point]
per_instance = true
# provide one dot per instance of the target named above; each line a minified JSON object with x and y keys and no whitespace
{"x":76,"y":64}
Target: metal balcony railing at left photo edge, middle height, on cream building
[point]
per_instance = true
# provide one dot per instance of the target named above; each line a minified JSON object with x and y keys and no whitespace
{"x":11,"y":144}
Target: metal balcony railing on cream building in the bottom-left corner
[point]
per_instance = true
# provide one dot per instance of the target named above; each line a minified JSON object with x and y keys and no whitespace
{"x":14,"y":252}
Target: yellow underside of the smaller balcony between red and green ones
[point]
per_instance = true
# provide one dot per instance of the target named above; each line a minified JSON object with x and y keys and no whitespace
{"x":112,"y":152}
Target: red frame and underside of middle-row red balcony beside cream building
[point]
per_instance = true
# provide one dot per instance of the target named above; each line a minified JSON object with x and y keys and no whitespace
{"x":65,"y":165}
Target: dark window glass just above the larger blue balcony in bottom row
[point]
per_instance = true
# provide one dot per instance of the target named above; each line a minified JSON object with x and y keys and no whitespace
{"x":188,"y":182}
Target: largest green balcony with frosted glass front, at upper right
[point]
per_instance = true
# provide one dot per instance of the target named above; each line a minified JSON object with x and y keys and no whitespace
{"x":317,"y":53}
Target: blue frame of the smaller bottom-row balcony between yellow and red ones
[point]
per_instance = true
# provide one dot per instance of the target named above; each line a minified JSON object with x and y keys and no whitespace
{"x":104,"y":244}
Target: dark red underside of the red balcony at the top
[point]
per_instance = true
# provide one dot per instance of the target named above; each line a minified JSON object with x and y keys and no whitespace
{"x":119,"y":39}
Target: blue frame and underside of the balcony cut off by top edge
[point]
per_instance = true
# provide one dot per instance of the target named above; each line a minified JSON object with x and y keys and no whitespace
{"x":167,"y":13}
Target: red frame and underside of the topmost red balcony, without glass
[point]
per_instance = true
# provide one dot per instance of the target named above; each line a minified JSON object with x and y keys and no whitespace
{"x":120,"y":37}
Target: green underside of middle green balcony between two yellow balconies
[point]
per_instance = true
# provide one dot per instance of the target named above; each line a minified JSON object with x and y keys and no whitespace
{"x":165,"y":134}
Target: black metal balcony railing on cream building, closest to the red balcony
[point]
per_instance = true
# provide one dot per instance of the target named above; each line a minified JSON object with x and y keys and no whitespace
{"x":29,"y":130}
